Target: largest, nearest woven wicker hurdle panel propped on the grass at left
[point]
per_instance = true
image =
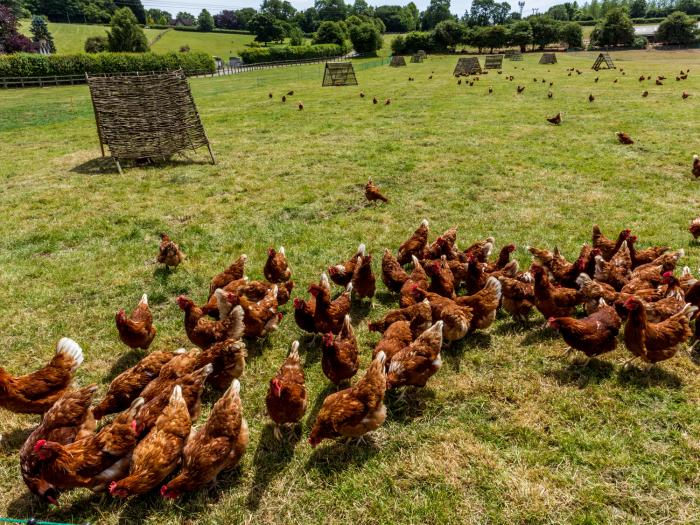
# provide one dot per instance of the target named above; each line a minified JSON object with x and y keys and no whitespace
{"x":146,"y":115}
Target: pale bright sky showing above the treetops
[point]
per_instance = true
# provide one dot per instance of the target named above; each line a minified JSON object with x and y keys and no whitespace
{"x":214,"y":6}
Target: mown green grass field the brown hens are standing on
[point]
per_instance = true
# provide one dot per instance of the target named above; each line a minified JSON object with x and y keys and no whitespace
{"x":505,"y":432}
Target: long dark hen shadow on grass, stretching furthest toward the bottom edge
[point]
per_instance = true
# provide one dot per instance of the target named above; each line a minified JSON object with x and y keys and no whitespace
{"x":271,"y":457}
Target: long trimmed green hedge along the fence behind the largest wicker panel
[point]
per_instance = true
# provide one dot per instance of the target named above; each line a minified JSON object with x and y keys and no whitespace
{"x":35,"y":65}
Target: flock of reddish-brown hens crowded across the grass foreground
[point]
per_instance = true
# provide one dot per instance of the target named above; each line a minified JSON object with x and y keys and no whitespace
{"x":154,"y":403}
